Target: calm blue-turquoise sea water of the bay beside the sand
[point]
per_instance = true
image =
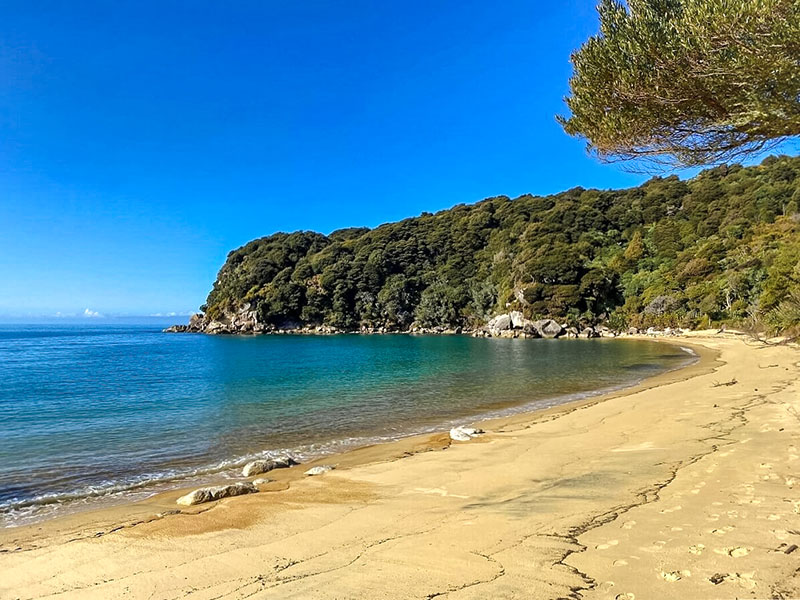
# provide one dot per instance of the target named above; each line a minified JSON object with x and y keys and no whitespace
{"x":94,"y":414}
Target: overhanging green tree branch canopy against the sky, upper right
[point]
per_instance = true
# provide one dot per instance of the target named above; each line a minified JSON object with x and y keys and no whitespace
{"x":687,"y":82}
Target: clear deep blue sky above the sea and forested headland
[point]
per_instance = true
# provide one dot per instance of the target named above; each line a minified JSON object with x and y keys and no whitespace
{"x":141,"y":141}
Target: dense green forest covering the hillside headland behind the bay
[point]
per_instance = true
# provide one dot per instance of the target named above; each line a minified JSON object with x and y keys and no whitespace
{"x":723,"y":247}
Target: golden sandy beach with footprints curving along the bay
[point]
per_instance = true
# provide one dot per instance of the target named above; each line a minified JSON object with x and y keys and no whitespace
{"x":683,"y":487}
